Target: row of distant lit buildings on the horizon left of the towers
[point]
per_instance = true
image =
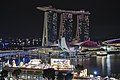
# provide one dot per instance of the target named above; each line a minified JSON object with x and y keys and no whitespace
{"x":19,"y":43}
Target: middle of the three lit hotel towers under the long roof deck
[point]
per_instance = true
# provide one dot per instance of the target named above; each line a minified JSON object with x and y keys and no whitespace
{"x":66,"y":26}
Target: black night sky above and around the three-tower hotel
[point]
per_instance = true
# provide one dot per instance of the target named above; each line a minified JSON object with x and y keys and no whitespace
{"x":20,"y":18}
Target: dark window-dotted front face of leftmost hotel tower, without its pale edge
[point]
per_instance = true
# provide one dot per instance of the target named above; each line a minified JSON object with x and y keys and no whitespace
{"x":52,"y":27}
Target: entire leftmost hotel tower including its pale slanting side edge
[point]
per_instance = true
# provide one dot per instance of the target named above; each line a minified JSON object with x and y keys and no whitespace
{"x":50,"y":28}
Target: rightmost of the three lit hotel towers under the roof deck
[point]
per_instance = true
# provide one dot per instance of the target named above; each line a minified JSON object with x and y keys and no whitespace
{"x":82,"y":30}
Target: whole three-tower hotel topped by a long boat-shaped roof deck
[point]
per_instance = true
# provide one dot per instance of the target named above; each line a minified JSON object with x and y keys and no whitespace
{"x":73,"y":25}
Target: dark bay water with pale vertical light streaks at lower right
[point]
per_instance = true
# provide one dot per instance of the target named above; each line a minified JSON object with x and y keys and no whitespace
{"x":105,"y":65}
